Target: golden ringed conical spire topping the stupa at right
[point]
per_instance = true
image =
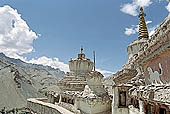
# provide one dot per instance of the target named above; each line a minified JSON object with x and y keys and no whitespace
{"x":143,"y":31}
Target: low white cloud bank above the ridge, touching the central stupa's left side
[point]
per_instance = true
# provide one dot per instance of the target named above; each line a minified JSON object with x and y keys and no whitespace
{"x":53,"y":62}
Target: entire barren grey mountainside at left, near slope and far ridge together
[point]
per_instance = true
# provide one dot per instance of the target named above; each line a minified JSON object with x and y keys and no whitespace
{"x":20,"y":80}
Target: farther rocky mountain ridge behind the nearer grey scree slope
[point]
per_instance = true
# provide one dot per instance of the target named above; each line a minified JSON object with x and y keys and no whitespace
{"x":44,"y":75}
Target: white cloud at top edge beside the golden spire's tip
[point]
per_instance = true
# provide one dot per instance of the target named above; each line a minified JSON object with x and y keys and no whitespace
{"x":131,"y":8}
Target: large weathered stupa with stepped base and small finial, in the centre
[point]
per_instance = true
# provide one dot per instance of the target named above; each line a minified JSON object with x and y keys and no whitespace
{"x":75,"y":79}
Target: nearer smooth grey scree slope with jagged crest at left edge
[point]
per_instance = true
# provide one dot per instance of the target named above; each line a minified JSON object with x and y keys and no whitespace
{"x":15,"y":88}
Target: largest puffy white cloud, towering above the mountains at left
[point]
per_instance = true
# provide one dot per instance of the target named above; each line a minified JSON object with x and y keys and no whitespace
{"x":16,"y":38}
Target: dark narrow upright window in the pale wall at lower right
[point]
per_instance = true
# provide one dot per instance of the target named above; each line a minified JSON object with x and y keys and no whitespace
{"x":122,"y":98}
